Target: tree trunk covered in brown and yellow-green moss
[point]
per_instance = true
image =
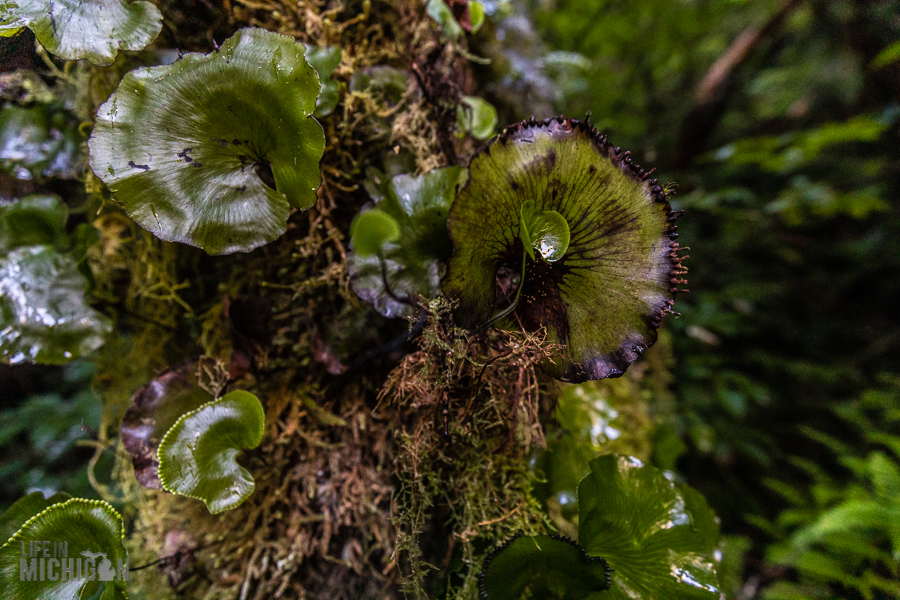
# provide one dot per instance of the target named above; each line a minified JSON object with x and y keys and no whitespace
{"x":387,"y":466}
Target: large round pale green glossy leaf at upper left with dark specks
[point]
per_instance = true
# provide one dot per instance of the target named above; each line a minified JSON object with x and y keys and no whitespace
{"x":187,"y":148}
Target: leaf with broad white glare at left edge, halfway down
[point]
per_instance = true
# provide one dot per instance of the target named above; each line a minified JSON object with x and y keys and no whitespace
{"x":43,"y":314}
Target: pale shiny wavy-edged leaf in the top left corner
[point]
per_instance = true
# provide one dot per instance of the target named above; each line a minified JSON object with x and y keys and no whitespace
{"x":91,"y":29}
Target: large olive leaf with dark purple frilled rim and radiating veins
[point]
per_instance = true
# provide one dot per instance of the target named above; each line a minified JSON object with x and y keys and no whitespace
{"x":605,"y":297}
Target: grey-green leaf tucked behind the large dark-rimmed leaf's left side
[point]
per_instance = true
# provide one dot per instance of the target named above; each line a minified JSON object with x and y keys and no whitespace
{"x":419,"y":205}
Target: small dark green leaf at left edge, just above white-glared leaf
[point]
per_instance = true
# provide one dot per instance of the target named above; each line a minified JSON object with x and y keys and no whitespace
{"x":33,"y":220}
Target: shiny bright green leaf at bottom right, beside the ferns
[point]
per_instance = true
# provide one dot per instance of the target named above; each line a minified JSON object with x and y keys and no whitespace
{"x":658,"y":537}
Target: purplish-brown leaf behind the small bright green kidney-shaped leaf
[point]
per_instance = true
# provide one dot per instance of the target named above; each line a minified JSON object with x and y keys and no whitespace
{"x":154,"y":410}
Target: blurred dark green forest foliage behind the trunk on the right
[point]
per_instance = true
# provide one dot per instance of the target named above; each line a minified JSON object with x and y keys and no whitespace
{"x":785,"y":155}
